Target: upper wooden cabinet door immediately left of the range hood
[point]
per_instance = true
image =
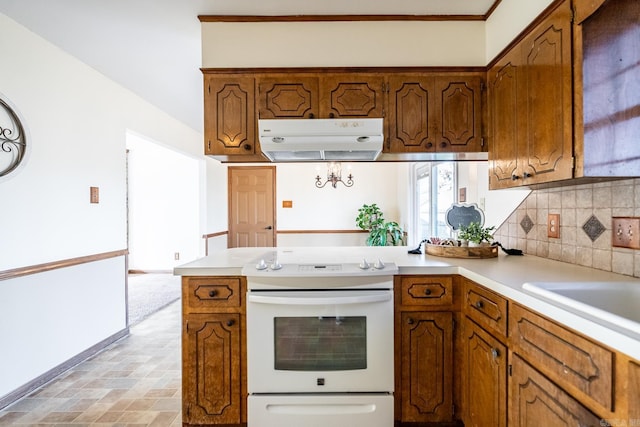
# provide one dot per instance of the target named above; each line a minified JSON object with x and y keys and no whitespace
{"x":229,"y":115}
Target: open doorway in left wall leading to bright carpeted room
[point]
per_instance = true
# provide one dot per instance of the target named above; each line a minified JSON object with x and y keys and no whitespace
{"x":163,"y":223}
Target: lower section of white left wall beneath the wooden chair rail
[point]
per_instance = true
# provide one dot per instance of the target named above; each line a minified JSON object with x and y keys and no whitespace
{"x":47,"y":319}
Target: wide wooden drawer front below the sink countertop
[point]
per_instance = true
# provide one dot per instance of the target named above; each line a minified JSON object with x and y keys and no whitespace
{"x":580,"y":366}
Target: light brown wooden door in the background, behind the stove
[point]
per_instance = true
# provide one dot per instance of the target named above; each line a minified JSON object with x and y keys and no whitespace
{"x":252,"y":209}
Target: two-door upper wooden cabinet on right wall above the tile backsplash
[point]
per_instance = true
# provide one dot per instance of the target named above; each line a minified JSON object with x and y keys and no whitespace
{"x":530,"y":107}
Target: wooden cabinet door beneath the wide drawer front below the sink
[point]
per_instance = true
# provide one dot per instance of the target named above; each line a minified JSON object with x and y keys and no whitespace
{"x":536,"y":401}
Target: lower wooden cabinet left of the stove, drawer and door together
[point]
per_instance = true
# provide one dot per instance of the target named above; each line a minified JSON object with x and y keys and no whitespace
{"x":214,"y":385}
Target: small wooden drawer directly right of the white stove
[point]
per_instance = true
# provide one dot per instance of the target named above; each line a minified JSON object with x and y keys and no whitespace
{"x":426,"y":290}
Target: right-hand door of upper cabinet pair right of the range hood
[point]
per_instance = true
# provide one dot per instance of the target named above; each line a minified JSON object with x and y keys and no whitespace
{"x":459,"y":111}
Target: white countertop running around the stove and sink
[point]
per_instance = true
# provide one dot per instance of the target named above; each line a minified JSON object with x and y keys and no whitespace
{"x":504,"y":275}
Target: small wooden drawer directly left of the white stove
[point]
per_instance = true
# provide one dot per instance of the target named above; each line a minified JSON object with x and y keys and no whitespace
{"x":211,"y":292}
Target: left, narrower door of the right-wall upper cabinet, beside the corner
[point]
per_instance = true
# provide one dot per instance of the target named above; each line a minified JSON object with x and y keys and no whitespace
{"x":503,"y":104}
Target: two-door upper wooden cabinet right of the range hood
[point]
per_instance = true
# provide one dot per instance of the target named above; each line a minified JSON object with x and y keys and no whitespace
{"x":435,"y":113}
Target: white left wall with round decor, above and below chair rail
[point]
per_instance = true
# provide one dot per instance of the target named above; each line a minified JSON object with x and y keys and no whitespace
{"x":77,"y":121}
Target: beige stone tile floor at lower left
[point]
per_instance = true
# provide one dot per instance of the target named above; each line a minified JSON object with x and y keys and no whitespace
{"x":134,"y":382}
